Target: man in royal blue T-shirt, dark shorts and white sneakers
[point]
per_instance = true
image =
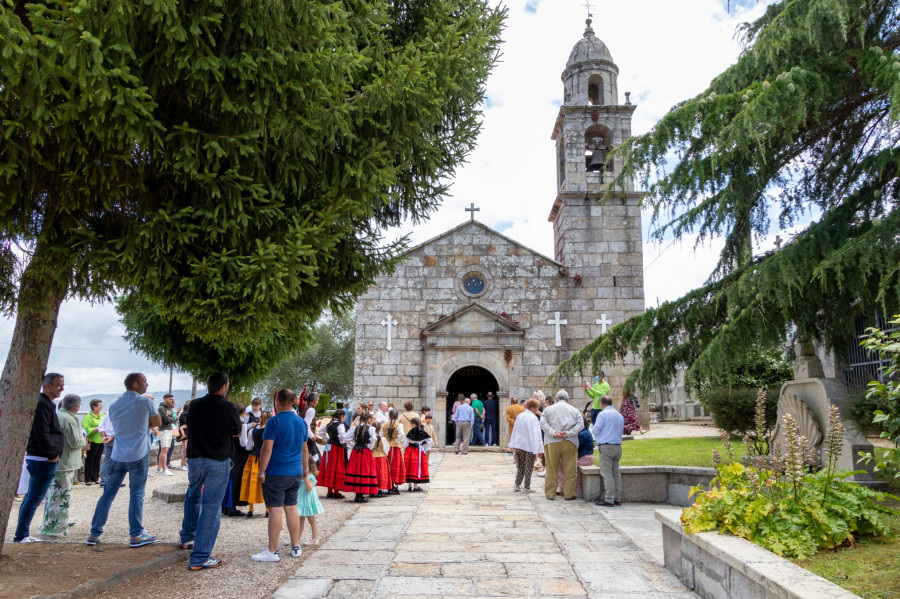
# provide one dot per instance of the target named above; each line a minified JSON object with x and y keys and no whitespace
{"x":283,"y":466}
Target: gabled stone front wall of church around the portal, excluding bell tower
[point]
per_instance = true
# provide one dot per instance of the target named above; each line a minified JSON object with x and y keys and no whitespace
{"x":427,"y":286}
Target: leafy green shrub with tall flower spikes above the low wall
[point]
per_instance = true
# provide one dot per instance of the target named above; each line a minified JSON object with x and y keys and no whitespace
{"x":781,"y":506}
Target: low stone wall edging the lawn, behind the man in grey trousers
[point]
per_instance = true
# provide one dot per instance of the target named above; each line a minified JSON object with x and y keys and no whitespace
{"x":649,"y":484}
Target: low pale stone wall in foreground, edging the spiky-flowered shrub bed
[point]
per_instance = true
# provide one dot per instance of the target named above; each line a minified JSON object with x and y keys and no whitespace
{"x":718,"y":566}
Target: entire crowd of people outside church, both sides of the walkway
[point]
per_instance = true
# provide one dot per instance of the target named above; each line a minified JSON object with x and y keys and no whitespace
{"x":246,"y":457}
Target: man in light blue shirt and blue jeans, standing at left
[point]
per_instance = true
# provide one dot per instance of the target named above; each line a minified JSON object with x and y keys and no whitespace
{"x":131,"y":416}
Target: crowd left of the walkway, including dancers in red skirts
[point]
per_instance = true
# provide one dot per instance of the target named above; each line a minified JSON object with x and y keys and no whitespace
{"x":235,"y":457}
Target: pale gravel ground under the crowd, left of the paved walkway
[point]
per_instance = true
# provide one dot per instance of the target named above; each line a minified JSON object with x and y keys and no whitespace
{"x":238,"y":539}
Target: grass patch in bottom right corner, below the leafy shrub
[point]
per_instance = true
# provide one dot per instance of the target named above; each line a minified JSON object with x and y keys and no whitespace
{"x":871,"y":569}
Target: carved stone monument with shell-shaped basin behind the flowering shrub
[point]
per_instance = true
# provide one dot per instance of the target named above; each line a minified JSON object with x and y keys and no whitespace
{"x":808,"y":398}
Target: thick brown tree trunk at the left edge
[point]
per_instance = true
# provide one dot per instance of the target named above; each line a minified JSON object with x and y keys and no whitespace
{"x":41,"y":292}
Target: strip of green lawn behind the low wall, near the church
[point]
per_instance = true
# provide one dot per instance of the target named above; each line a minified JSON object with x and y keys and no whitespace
{"x":690,"y":451}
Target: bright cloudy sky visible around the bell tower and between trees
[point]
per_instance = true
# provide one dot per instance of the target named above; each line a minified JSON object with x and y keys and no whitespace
{"x":666,"y":52}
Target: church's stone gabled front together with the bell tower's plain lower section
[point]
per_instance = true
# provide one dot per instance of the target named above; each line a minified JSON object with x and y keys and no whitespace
{"x":520,"y":284}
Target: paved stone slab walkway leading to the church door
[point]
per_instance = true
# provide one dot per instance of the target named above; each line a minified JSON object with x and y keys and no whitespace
{"x":471,"y":536}
